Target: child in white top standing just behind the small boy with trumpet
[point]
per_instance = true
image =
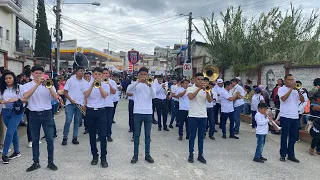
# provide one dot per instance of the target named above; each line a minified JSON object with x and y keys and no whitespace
{"x":255,"y":100}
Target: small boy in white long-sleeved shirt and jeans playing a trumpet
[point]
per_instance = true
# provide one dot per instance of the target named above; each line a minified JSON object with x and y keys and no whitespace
{"x":261,"y":131}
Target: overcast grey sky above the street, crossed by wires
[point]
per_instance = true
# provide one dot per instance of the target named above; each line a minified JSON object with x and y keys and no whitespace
{"x":144,"y":24}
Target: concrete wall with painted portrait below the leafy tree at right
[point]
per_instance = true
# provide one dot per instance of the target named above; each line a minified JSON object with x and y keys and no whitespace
{"x":272,"y":72}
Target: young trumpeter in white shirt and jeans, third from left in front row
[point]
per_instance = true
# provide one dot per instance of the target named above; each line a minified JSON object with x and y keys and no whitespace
{"x":143,"y":94}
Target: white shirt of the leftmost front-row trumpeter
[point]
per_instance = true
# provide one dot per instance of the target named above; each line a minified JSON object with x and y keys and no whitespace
{"x":40,"y":100}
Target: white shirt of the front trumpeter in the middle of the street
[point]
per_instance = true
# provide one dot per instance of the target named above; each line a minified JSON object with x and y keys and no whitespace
{"x":143,"y":95}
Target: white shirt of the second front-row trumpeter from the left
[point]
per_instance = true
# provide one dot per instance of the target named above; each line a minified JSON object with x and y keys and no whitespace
{"x":95,"y":100}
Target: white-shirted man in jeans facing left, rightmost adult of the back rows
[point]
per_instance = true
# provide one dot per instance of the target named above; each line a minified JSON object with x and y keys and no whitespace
{"x":238,"y":104}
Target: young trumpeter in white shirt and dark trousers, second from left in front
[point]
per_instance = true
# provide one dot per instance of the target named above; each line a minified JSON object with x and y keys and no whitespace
{"x":96,"y":116}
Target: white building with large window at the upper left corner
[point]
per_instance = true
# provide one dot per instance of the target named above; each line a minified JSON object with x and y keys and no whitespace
{"x":17,"y":23}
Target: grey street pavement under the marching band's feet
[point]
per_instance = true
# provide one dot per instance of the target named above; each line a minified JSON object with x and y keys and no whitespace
{"x":226,"y":158}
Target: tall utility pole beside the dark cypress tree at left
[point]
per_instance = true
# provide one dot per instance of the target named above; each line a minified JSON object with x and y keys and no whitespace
{"x":58,"y":40}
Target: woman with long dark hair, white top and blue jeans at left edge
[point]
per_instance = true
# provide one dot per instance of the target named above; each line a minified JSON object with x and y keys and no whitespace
{"x":12,"y":111}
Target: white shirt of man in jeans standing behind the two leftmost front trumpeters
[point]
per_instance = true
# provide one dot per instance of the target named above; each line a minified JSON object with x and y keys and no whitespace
{"x":75,"y":89}
